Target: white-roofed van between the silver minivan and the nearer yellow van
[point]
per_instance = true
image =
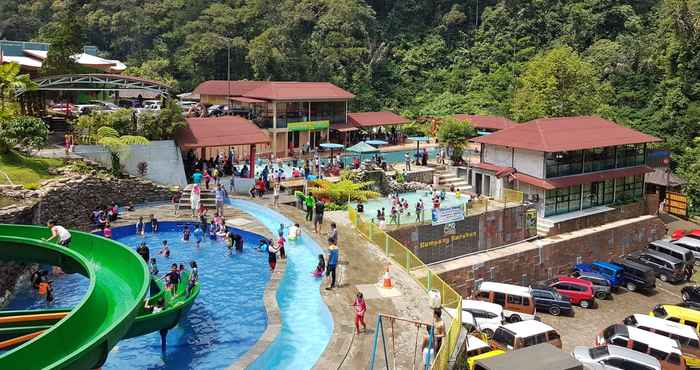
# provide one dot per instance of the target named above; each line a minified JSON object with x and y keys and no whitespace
{"x":664,"y":349}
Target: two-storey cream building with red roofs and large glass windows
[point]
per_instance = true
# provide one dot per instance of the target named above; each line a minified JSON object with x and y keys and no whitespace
{"x":564,"y":165}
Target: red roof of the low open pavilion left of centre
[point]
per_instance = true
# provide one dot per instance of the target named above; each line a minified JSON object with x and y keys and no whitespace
{"x":220,"y":131}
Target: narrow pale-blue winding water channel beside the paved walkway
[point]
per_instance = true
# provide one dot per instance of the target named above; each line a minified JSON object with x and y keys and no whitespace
{"x":307,"y":324}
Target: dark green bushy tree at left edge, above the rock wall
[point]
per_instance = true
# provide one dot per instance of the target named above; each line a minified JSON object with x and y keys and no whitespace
{"x":29,"y":132}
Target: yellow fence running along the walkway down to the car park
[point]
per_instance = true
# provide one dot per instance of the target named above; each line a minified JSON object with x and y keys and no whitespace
{"x":422,"y":274}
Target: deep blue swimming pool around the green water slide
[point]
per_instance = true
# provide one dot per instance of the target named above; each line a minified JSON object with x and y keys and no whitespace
{"x":225,"y":322}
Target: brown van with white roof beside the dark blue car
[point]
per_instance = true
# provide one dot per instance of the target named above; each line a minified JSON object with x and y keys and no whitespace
{"x":516,"y":300}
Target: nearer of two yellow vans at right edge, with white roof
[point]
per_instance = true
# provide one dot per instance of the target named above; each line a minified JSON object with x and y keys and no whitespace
{"x":686,"y":337}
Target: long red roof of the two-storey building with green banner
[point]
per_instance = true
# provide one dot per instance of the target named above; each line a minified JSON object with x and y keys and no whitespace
{"x":274,"y":90}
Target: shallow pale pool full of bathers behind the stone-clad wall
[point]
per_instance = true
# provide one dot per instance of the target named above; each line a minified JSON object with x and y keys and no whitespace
{"x":409,"y":217}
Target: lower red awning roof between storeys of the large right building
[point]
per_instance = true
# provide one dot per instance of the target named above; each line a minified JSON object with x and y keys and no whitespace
{"x":566,"y":181}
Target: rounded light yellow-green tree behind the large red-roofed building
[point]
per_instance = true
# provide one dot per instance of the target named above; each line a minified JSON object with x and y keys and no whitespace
{"x":557,"y":83}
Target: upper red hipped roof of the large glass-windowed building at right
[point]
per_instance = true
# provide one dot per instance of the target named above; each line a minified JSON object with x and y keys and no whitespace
{"x":566,"y":133}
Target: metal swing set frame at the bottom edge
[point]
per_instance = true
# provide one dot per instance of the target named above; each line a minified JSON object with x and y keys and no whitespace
{"x":390,"y":320}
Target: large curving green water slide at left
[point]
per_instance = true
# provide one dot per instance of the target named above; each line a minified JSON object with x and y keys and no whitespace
{"x":112,"y":309}
